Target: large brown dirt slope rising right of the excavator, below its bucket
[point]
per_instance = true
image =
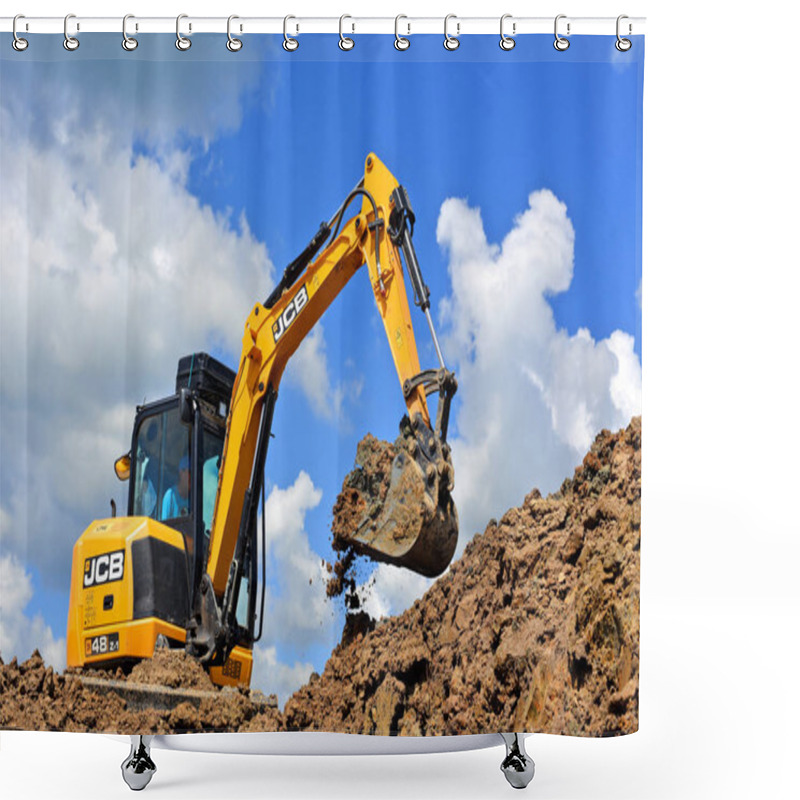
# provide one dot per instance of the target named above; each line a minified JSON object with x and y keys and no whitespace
{"x":535,"y":628}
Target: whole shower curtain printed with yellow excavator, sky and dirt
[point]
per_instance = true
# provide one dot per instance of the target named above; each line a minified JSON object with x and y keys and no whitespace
{"x":156,"y":204}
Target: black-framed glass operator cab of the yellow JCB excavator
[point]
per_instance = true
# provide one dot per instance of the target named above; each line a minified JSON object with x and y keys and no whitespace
{"x":175,"y":458}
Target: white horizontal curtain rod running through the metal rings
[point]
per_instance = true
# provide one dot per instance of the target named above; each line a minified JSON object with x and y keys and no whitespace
{"x":407,"y":26}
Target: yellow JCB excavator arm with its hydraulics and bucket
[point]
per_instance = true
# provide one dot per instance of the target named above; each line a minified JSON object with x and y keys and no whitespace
{"x":417,"y":527}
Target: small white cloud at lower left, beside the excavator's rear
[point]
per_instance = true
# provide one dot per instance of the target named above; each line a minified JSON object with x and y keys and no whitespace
{"x":20,"y":634}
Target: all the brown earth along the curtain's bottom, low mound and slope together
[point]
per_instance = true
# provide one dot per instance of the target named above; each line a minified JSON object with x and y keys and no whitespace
{"x":534,"y":628}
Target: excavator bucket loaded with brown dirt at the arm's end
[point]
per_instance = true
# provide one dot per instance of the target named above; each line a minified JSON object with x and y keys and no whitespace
{"x":396,"y":506}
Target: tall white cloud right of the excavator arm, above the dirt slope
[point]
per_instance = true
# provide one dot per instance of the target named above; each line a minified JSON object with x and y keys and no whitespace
{"x":531,"y":396}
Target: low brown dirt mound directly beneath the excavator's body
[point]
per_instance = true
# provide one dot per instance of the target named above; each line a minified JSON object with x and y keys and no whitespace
{"x":34,"y":697}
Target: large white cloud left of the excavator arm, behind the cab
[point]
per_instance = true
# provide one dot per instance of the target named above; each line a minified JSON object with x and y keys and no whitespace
{"x":107,"y":265}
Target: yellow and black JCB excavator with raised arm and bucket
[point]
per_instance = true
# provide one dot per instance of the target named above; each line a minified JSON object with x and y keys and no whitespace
{"x":181,"y":569}
